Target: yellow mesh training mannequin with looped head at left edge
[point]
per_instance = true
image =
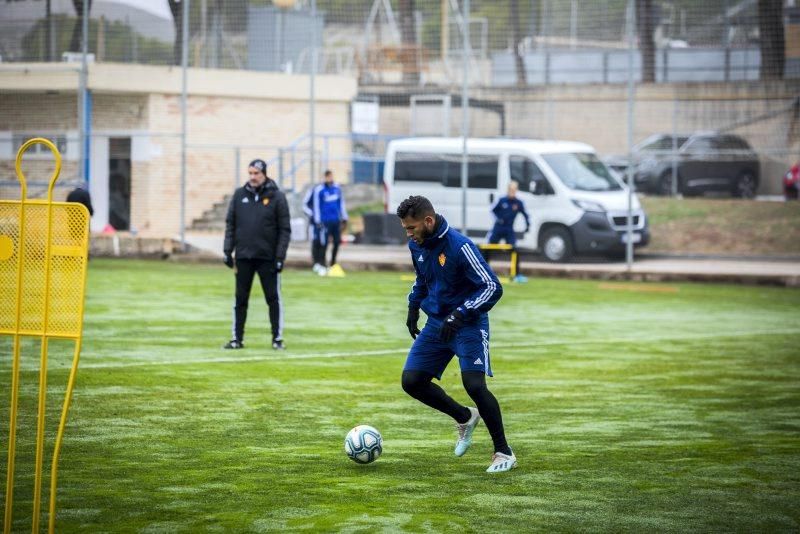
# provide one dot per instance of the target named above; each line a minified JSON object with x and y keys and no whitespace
{"x":43,"y":255}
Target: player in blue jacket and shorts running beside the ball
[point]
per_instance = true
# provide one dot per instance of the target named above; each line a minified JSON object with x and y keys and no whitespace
{"x":455,"y":288}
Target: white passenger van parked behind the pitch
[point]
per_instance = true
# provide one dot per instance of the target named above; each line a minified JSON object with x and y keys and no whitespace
{"x":575,"y":203}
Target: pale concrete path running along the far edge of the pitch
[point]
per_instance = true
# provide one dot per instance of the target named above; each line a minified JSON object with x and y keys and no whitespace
{"x":785,"y":272}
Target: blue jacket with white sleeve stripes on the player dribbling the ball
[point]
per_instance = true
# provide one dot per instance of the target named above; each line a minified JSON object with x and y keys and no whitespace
{"x":451,"y":274}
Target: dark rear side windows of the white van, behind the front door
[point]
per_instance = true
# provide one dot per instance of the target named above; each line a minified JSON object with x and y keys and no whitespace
{"x":445,"y":169}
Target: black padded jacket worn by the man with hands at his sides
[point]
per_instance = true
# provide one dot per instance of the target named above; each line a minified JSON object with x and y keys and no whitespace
{"x":258,"y":224}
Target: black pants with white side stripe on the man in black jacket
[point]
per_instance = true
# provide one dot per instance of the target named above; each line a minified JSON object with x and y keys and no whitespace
{"x":246,"y":270}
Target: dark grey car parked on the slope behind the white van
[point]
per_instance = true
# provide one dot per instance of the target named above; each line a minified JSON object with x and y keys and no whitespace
{"x":705,"y":162}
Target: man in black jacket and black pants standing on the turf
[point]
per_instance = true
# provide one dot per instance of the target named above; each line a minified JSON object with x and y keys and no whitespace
{"x":257,"y":232}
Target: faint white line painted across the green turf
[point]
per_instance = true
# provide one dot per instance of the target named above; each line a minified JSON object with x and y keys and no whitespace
{"x":404,"y":349}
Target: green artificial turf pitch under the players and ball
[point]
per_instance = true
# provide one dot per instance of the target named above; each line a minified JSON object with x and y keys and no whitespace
{"x":631,"y":407}
